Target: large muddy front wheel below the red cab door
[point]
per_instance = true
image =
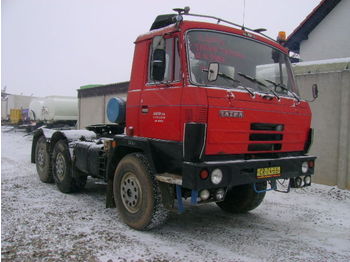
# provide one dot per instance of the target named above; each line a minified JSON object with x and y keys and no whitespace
{"x":137,"y":195}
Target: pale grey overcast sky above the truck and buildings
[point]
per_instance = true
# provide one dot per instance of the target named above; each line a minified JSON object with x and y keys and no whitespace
{"x":52,"y":47}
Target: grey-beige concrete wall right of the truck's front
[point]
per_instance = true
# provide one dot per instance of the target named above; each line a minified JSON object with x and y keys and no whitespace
{"x":331,"y":118}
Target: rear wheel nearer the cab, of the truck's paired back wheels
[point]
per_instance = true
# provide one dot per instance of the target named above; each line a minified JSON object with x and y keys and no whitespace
{"x":62,"y":170}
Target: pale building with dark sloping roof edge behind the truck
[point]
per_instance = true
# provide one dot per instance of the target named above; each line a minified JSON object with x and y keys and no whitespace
{"x":324,"y":33}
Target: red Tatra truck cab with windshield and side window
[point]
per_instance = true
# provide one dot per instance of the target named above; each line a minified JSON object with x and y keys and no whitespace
{"x":251,"y":109}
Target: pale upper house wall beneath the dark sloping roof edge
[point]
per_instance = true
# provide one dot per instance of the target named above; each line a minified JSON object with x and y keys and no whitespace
{"x":330,"y":39}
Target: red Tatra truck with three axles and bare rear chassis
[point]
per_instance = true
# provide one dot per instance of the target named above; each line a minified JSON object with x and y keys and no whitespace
{"x":213,"y":114}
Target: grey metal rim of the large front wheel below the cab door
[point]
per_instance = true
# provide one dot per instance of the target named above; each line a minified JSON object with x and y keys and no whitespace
{"x":130,"y":192}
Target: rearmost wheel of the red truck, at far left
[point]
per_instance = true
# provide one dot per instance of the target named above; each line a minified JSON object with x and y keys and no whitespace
{"x":42,"y":161}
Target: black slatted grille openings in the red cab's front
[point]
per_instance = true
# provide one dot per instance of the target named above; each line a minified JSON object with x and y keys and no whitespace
{"x":265,"y":137}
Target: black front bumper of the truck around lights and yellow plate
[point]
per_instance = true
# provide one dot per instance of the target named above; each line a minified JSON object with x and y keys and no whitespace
{"x":239,"y":172}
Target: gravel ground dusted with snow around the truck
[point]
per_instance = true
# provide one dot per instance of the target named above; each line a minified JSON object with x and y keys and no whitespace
{"x":41,"y":224}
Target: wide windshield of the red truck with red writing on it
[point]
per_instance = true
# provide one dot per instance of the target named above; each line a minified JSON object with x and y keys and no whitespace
{"x":242,"y":62}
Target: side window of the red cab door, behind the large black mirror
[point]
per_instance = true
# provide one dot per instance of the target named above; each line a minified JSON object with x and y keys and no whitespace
{"x":165,"y":63}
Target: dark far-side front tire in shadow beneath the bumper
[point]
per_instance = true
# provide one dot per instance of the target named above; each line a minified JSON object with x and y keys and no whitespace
{"x":243,"y":198}
